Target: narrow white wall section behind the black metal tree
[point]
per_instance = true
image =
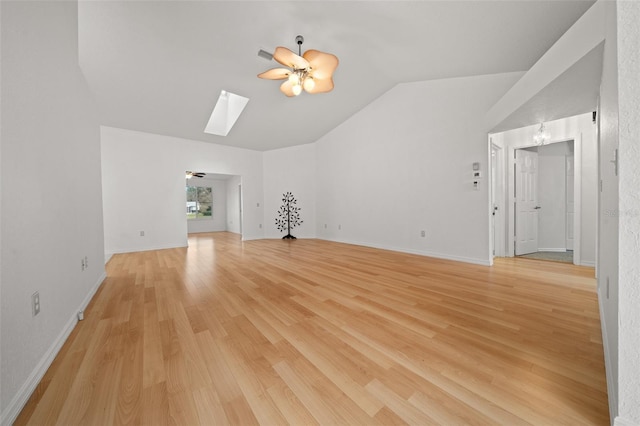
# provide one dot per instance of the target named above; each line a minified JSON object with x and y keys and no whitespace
{"x":290,"y":170}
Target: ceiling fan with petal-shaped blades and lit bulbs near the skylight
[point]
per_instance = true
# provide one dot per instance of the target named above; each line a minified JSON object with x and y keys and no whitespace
{"x":311,"y":71}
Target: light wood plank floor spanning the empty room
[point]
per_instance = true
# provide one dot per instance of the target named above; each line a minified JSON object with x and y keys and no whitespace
{"x":313,"y":332}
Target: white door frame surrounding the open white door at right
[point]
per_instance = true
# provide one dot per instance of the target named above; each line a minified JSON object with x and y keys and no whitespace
{"x":577,"y":188}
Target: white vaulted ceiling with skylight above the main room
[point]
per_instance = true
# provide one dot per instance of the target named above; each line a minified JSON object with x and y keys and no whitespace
{"x":159,"y":66}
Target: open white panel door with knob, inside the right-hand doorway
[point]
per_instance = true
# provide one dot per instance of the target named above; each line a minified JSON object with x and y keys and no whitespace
{"x":526,"y":194}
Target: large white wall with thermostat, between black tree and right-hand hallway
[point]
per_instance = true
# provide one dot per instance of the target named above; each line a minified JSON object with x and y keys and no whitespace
{"x":403,"y":164}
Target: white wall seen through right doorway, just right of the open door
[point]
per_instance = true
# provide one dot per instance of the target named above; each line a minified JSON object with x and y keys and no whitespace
{"x":552,"y":195}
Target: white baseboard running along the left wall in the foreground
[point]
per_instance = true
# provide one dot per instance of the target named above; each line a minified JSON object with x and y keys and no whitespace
{"x":9,"y":415}
